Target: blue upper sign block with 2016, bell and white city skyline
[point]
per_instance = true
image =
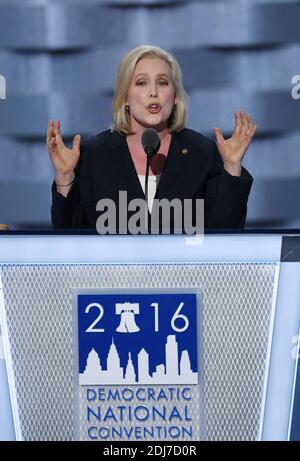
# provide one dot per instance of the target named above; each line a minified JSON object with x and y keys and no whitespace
{"x":134,"y":338}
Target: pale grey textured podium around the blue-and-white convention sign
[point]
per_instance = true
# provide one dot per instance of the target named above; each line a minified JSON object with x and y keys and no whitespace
{"x":251,"y":317}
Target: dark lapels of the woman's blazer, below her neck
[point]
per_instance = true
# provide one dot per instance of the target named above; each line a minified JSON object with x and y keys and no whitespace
{"x":174,"y":165}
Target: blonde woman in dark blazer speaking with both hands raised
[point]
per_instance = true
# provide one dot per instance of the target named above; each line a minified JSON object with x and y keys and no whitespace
{"x":187,"y":166}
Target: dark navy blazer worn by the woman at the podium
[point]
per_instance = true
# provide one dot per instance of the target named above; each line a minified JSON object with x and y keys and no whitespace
{"x":193,"y":169}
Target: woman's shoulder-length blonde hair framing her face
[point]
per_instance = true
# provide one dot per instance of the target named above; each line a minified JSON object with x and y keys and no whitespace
{"x":121,"y":116}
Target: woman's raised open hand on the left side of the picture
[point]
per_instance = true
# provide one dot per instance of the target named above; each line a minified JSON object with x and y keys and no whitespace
{"x":64,"y":160}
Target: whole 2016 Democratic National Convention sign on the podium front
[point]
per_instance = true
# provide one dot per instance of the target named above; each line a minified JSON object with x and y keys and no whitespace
{"x":138,"y":373}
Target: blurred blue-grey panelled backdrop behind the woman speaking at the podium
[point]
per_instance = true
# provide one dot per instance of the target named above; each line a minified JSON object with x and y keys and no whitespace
{"x":59,"y":60}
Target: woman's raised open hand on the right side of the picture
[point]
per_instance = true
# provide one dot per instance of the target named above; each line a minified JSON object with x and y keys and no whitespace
{"x":232,"y":150}
